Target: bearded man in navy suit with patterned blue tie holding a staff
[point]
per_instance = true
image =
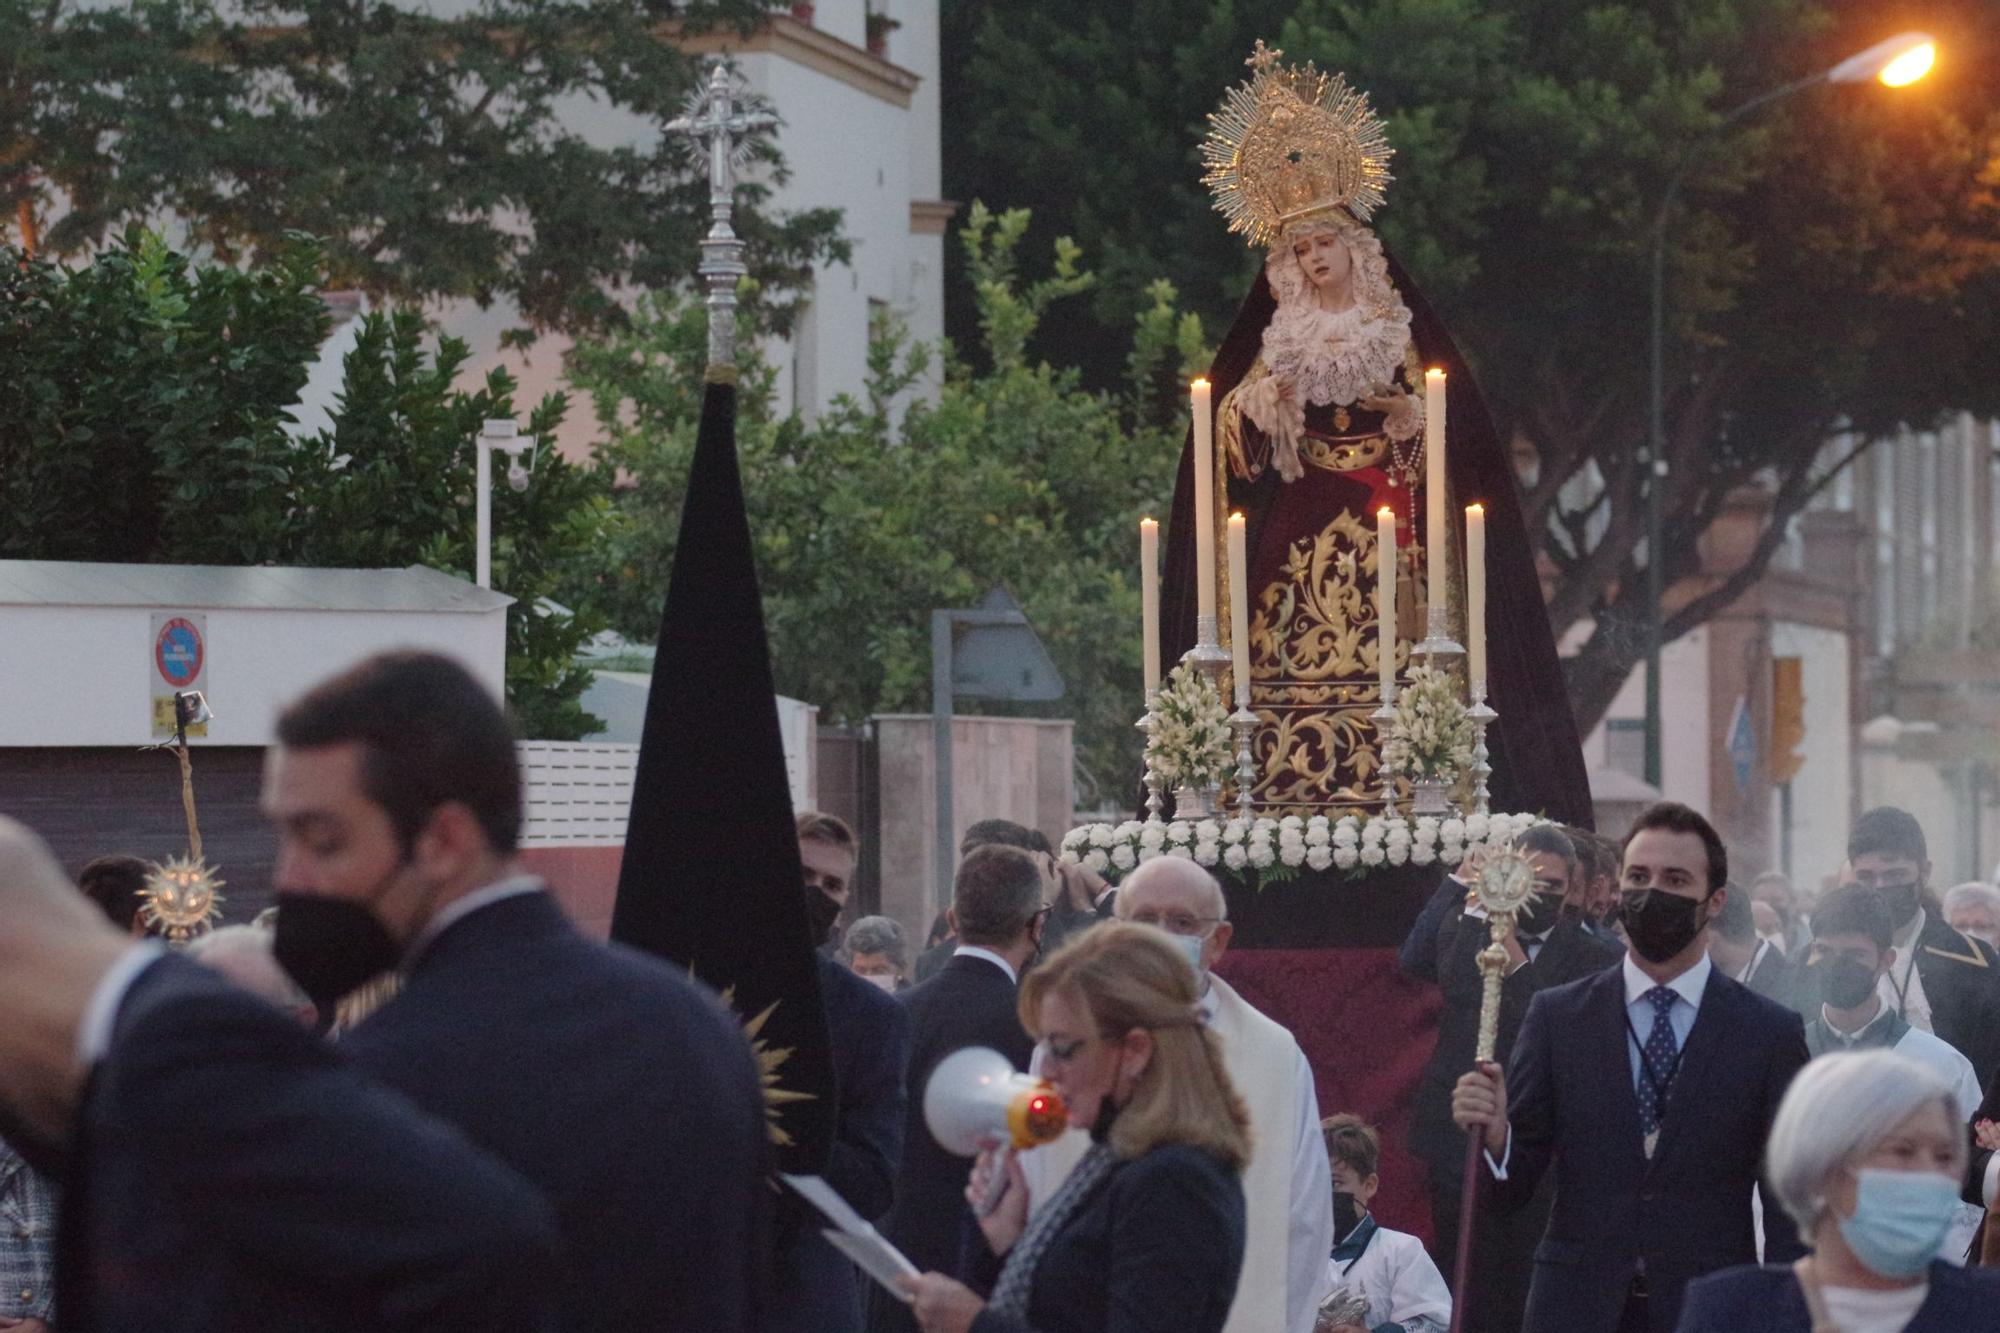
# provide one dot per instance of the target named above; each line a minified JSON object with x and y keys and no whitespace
{"x":1651,"y":1088}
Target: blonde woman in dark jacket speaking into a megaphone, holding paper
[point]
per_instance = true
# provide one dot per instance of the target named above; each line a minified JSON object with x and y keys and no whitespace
{"x":1147,"y":1234}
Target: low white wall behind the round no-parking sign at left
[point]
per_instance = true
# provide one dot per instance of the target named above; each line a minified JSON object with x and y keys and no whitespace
{"x":83,"y":676}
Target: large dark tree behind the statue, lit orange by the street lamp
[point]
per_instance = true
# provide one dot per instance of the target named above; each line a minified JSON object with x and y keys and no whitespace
{"x":1835,"y":257}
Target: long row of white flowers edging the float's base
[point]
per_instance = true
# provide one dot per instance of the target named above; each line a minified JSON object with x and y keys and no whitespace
{"x":1277,"y":850}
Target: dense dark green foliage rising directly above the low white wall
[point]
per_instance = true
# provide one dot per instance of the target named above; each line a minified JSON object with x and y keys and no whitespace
{"x":147,"y":419}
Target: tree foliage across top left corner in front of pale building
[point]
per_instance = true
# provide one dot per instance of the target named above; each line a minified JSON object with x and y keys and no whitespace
{"x":439,"y":155}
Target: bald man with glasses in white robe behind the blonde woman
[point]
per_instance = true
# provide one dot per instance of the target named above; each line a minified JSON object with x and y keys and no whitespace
{"x":1287,"y":1186}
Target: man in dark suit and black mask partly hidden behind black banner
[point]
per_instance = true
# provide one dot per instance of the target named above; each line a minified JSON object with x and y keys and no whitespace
{"x":819,"y":1290}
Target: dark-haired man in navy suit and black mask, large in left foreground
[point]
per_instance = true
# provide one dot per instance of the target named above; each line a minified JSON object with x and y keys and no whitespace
{"x":605,"y":1078}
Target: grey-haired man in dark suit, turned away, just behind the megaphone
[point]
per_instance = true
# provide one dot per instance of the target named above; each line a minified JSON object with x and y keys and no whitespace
{"x":997,"y":912}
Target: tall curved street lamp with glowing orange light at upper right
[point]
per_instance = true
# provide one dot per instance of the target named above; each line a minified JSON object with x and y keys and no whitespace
{"x":1897,"y":63}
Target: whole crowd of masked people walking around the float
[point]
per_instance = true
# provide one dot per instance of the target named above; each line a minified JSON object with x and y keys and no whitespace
{"x":413,"y":1096}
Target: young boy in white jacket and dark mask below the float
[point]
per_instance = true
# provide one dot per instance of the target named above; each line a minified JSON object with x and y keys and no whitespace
{"x":1391,"y":1268}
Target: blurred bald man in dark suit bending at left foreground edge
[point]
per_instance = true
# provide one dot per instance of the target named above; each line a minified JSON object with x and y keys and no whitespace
{"x":223,"y":1168}
